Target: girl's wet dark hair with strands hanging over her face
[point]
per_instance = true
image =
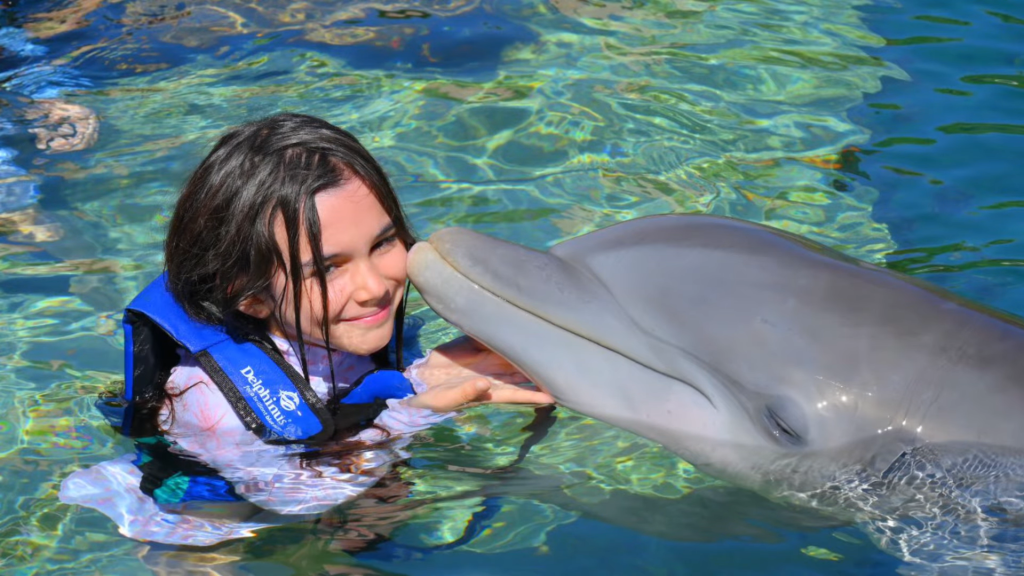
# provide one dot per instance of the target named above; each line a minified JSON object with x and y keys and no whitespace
{"x":222,"y":250}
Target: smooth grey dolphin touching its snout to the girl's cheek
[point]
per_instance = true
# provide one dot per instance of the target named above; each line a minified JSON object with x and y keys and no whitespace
{"x":771,"y":362}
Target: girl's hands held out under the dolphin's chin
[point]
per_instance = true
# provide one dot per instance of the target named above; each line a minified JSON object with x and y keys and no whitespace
{"x":463,"y":374}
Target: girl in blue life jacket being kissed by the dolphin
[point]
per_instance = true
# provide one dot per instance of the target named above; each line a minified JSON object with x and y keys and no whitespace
{"x":270,"y":331}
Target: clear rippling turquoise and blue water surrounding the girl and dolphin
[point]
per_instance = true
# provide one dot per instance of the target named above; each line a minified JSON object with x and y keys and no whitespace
{"x":887,"y":131}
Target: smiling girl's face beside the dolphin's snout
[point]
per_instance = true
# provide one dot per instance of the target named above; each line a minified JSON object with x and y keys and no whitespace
{"x":366,"y":275}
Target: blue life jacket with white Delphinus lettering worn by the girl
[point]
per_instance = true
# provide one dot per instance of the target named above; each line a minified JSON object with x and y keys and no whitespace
{"x":271,"y":397}
